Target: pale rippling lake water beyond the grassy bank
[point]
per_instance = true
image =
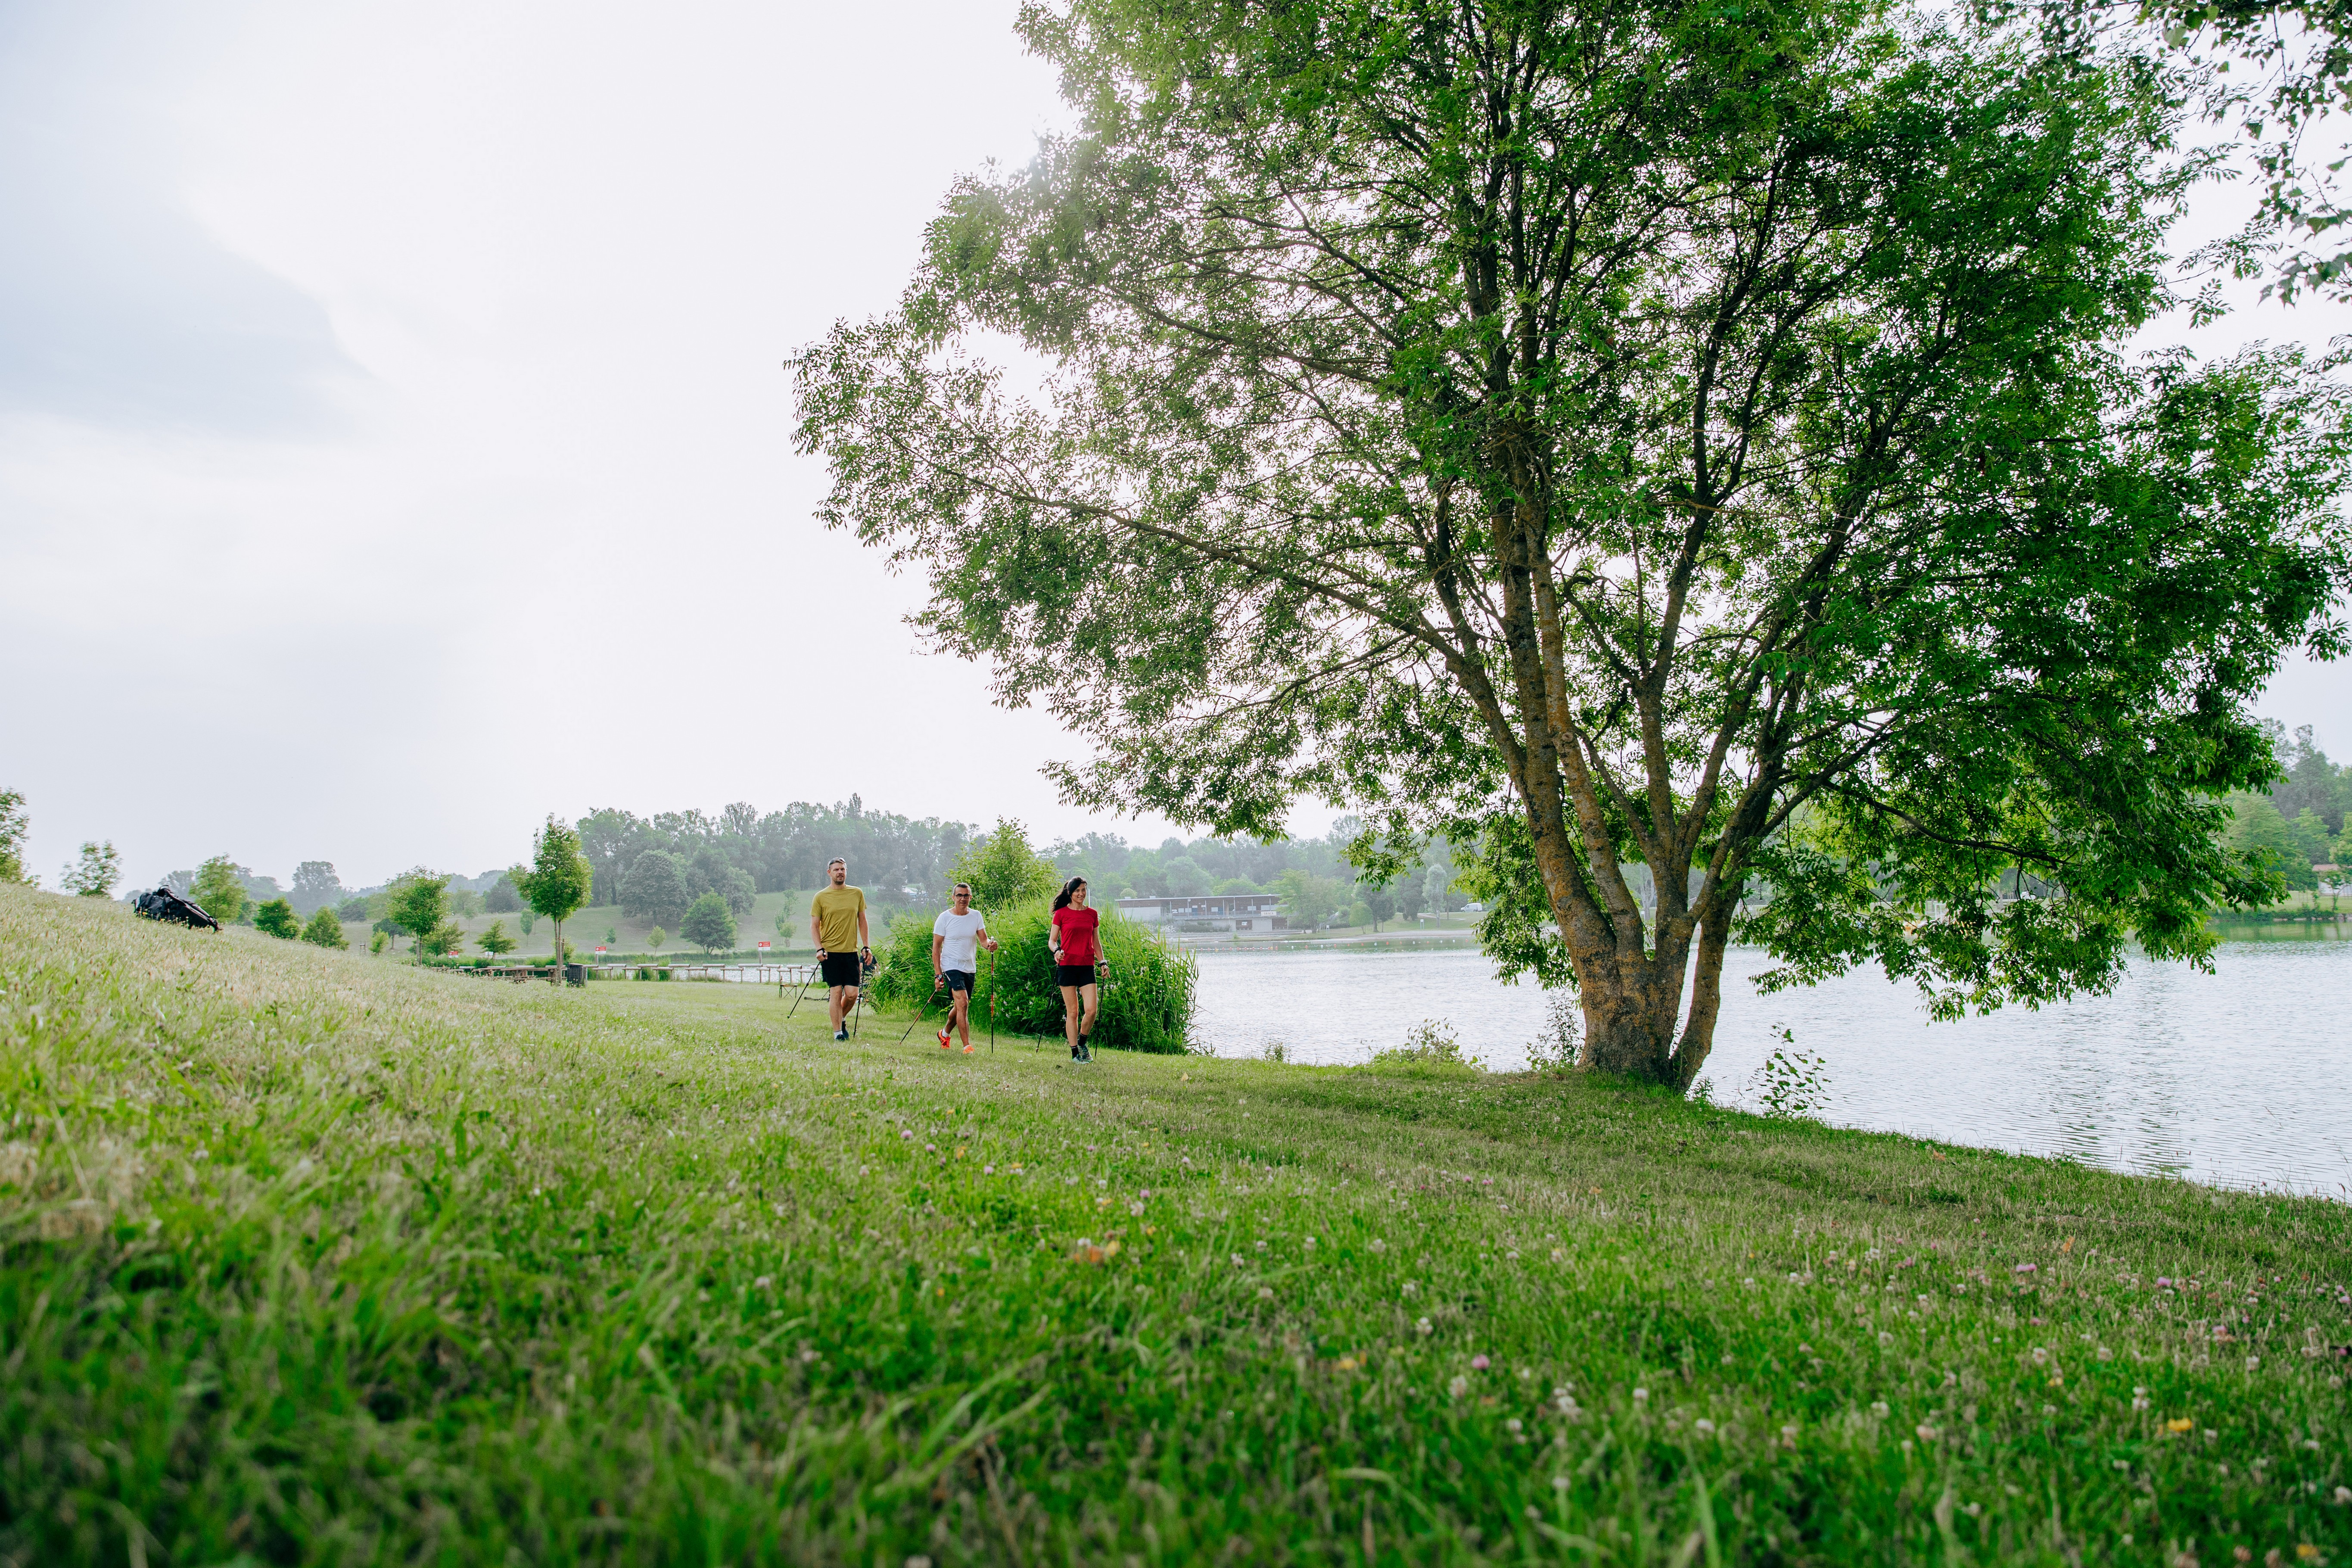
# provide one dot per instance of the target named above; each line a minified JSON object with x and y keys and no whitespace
{"x":2238,"y":1078}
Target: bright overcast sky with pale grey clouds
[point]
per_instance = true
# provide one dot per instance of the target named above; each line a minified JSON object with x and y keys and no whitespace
{"x":394,"y":438}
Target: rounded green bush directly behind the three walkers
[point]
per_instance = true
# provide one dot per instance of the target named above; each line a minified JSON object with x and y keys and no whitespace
{"x":1147,"y":1003}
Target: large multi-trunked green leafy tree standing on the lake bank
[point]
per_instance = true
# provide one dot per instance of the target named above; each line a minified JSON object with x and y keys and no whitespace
{"x":1617,"y":434}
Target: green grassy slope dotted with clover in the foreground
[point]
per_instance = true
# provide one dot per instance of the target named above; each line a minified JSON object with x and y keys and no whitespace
{"x":314,"y":1259}
